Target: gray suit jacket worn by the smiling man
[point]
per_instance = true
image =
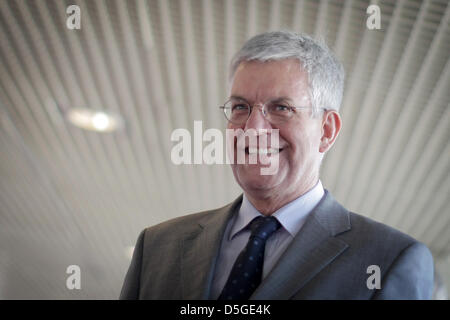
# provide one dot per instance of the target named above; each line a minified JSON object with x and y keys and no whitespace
{"x":328,"y":259}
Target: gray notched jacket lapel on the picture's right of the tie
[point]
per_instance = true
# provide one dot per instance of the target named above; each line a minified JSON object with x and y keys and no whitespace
{"x":312,"y":249}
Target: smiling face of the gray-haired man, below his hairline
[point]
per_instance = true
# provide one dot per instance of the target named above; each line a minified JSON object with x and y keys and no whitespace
{"x":299,"y":137}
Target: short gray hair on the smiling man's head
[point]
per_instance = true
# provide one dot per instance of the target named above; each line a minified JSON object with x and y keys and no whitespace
{"x":325,"y":72}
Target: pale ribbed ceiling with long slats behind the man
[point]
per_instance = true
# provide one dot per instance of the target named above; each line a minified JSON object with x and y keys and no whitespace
{"x":69,"y":196}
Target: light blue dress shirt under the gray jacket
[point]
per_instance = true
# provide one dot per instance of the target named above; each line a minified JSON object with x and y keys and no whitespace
{"x":292,"y":216}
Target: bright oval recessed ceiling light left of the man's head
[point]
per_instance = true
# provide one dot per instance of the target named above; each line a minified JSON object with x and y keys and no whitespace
{"x":100,"y":121}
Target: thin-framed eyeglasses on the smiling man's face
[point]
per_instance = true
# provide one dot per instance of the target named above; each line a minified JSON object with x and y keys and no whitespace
{"x":237,"y":111}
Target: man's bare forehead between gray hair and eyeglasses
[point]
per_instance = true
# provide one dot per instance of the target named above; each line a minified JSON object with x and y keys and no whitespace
{"x":258,"y":81}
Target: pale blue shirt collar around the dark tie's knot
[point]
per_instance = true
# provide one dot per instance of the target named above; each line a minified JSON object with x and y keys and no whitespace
{"x":291,"y":216}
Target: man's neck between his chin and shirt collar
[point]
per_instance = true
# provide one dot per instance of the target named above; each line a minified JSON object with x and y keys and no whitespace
{"x":268,"y":204}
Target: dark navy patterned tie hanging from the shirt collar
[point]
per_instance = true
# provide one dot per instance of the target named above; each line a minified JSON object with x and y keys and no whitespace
{"x":246,"y":274}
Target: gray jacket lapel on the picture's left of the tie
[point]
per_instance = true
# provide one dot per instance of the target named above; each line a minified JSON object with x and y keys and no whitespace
{"x":200,"y":248}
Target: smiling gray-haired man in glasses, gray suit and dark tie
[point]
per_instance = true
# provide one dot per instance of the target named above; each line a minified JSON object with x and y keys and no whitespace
{"x":285,"y":237}
